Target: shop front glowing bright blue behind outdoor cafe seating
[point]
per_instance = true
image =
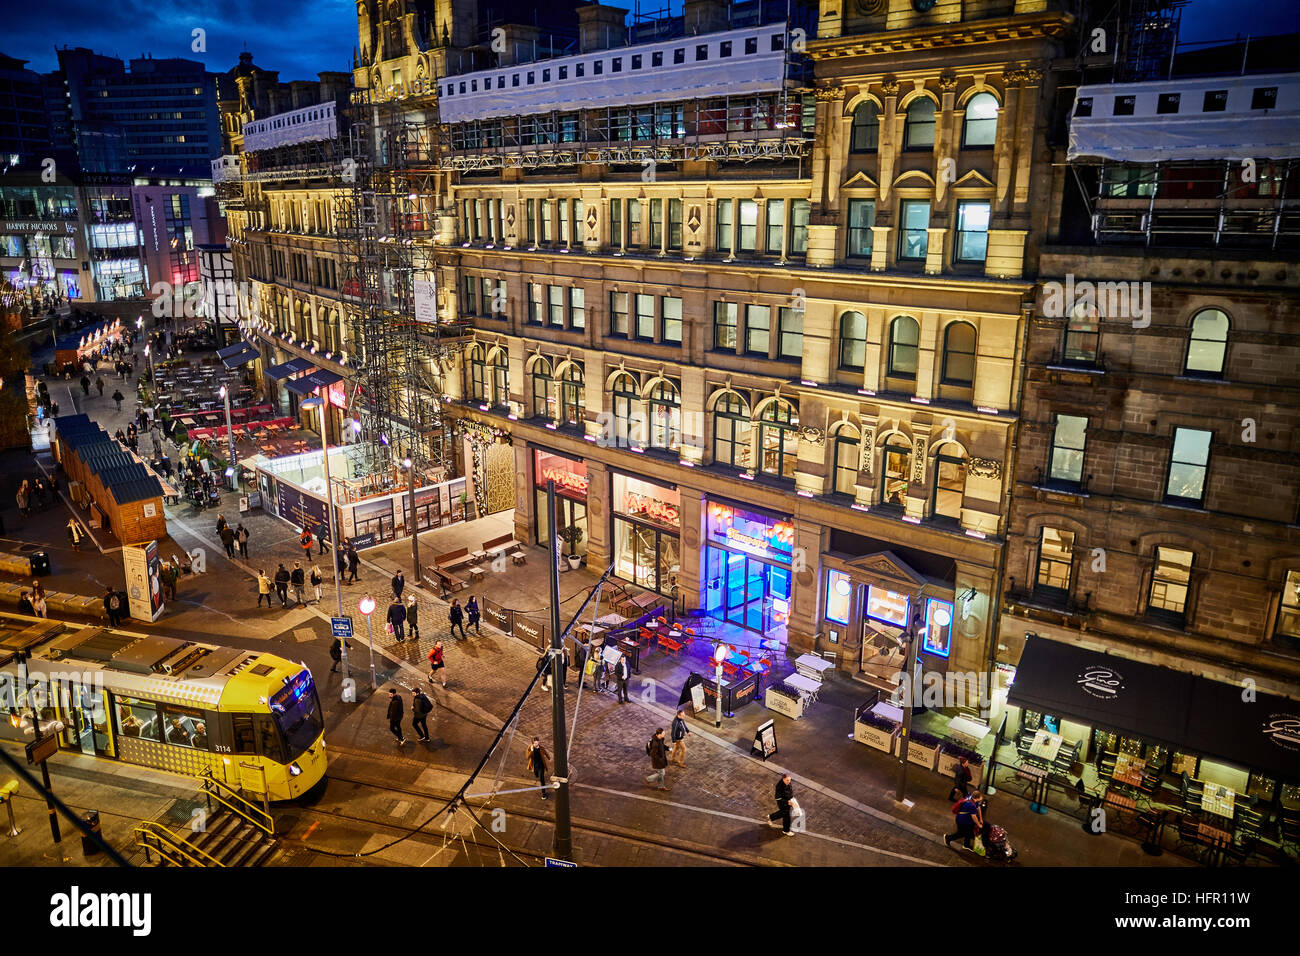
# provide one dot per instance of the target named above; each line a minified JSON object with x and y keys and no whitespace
{"x":748,"y":568}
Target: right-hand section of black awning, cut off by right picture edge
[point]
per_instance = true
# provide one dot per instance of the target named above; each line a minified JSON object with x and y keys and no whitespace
{"x":1262,"y":734}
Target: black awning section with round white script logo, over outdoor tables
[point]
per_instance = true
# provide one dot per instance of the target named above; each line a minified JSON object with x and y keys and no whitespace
{"x":1104,"y":691}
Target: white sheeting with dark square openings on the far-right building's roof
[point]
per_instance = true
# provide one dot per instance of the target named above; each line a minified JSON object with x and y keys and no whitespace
{"x":1242,"y":129}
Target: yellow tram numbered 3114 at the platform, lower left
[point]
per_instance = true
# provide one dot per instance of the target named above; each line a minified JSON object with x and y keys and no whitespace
{"x":253,"y":720}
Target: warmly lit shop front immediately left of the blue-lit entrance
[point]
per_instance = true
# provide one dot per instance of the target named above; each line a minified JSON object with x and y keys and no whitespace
{"x":647,"y":533}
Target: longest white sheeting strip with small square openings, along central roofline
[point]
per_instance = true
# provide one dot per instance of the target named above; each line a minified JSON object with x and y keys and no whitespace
{"x":738,"y":75}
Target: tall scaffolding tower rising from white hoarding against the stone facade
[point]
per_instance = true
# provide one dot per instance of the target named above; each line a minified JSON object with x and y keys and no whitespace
{"x":385,"y":230}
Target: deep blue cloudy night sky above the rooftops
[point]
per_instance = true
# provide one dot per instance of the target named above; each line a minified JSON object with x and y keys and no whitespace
{"x":301,"y":38}
